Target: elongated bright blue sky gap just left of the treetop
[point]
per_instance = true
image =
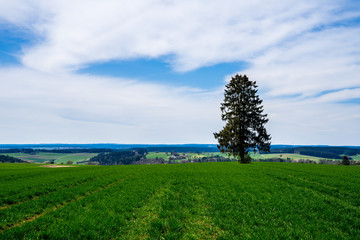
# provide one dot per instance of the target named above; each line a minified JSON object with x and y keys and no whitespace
{"x":159,"y":70}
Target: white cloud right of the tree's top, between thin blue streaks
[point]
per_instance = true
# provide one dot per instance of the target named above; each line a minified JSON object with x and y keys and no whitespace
{"x":311,"y":64}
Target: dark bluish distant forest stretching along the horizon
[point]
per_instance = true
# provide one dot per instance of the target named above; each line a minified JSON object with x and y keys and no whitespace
{"x":135,"y":154}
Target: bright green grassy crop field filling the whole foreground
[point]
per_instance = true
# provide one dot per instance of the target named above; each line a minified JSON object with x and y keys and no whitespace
{"x":180,"y":201}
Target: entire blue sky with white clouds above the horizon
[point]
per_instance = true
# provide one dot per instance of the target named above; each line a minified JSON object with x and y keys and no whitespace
{"x":154,"y":71}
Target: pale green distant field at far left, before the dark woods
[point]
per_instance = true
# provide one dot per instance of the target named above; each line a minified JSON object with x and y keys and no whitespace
{"x":40,"y":157}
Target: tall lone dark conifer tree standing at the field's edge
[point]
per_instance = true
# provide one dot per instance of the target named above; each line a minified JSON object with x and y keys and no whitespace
{"x":243,"y":113}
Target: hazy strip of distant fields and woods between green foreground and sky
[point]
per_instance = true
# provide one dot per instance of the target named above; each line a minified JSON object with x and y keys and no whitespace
{"x":160,"y":154}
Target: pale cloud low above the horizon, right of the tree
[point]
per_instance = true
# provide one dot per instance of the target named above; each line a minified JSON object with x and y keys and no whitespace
{"x":313,"y":122}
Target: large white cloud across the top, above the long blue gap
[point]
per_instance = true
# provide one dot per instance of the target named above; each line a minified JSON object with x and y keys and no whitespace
{"x":196,"y":33}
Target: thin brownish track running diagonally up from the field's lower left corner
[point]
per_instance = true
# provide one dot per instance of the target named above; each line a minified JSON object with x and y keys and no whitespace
{"x":59,"y":206}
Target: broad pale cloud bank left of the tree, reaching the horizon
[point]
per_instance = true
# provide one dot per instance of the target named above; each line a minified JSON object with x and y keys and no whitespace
{"x":43,"y":107}
